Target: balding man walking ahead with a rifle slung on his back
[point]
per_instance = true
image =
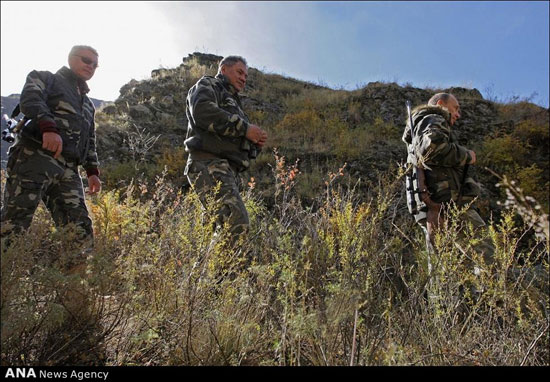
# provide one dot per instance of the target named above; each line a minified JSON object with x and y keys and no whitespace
{"x":432,"y":145}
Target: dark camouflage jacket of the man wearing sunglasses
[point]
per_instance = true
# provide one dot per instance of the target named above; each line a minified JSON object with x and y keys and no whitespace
{"x":53,"y":103}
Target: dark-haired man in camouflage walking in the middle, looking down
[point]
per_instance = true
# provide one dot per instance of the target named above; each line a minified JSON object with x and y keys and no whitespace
{"x":221,"y":141}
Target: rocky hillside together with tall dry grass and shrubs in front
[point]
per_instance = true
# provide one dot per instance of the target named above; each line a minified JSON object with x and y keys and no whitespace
{"x":334,"y":270}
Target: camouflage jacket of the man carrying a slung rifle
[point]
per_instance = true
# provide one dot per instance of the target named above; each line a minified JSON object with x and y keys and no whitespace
{"x":433,"y":145}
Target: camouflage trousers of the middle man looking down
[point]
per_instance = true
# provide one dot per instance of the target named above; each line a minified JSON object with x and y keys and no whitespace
{"x":204,"y":175}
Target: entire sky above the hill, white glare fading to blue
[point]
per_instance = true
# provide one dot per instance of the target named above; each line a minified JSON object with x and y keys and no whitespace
{"x":500,"y":48}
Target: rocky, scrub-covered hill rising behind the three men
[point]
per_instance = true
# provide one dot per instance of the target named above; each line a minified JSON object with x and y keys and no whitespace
{"x":142,"y":132}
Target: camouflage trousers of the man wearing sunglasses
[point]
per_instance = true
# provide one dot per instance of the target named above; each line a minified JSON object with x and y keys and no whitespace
{"x":34,"y":175}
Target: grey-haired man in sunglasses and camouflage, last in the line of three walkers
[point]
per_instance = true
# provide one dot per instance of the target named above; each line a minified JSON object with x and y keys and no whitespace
{"x":43,"y":163}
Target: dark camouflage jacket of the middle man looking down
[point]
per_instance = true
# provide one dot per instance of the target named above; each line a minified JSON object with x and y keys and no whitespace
{"x":217,"y":122}
